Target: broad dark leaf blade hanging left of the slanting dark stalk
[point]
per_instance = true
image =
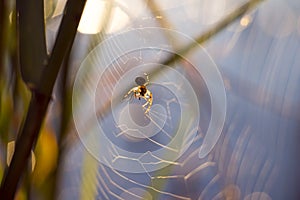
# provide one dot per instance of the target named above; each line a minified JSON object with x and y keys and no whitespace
{"x":32,"y":44}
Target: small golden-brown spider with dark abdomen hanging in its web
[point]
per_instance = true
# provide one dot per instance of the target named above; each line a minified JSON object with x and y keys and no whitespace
{"x":141,"y":91}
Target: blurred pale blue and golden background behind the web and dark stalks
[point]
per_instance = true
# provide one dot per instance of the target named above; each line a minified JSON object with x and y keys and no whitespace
{"x":256,"y":57}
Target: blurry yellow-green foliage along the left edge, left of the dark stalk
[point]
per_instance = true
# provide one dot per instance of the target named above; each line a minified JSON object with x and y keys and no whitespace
{"x":14,"y":95}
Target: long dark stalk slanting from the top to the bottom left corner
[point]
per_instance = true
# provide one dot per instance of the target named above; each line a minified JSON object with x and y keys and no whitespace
{"x":41,"y":96}
